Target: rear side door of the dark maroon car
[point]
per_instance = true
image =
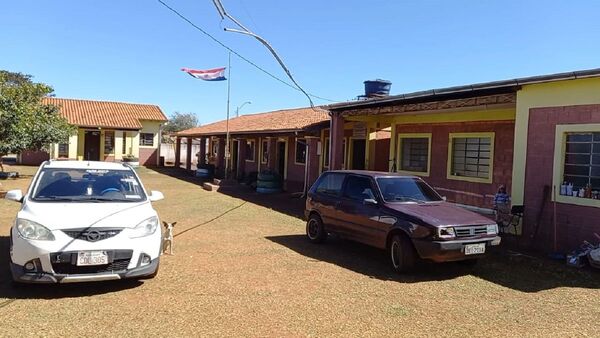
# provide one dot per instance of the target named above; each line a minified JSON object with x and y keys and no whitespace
{"x":325,"y":198}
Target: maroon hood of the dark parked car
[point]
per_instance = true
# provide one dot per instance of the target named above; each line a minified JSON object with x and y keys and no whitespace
{"x":440,"y":213}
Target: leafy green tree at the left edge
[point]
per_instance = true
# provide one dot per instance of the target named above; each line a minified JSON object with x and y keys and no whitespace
{"x":25,"y":122}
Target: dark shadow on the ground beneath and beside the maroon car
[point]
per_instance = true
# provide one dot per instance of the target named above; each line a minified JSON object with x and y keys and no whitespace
{"x":517,"y":272}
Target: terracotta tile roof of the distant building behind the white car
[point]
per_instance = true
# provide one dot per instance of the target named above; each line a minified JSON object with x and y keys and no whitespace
{"x":88,"y":113}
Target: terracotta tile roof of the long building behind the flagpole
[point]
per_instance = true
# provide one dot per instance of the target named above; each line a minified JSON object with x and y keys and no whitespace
{"x":274,"y":121}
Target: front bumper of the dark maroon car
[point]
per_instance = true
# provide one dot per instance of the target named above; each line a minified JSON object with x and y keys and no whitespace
{"x":453,"y":250}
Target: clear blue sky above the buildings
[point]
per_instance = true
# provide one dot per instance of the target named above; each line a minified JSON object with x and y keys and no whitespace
{"x":132,"y":51}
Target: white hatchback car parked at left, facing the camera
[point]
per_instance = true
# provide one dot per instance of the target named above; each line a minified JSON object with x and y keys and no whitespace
{"x":84,"y":221}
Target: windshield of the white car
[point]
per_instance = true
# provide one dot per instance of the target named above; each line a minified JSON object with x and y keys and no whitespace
{"x":93,"y":185}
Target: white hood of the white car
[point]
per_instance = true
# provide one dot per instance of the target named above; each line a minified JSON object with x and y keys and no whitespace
{"x":71,"y":215}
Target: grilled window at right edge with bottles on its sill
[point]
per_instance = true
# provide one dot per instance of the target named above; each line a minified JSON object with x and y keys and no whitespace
{"x":582,"y":160}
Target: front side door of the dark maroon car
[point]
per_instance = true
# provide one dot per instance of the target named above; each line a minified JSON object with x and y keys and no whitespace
{"x":359,"y":210}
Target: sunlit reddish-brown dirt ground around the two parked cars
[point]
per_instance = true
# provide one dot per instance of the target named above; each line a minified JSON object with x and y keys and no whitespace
{"x":243,"y":269}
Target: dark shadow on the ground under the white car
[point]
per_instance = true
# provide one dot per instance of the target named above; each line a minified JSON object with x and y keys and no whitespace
{"x":10,"y":291}
